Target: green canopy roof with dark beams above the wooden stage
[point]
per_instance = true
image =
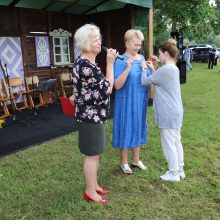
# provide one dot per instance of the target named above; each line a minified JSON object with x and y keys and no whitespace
{"x":75,"y":6}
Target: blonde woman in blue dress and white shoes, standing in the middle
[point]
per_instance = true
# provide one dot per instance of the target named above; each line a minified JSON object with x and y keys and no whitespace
{"x":131,"y":98}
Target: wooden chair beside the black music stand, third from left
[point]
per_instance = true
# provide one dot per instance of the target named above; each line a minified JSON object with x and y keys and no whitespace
{"x":31,"y":85}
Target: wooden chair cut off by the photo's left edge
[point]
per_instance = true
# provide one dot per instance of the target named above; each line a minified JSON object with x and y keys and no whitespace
{"x":4,"y":97}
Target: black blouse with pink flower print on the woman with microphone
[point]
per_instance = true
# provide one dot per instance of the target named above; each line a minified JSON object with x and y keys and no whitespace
{"x":92,"y":92}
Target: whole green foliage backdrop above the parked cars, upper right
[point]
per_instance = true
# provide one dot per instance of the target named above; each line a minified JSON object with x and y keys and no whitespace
{"x":198,"y":20}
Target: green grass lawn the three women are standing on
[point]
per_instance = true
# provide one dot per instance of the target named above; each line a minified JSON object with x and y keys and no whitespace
{"x":46,"y":181}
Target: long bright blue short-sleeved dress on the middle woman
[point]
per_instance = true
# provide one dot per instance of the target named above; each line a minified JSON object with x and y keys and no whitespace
{"x":130,"y":122}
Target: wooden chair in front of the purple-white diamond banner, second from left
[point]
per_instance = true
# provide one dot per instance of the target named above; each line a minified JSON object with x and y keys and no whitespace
{"x":17,"y":88}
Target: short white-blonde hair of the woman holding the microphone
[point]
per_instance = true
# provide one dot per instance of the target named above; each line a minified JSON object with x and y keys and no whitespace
{"x":84,"y":36}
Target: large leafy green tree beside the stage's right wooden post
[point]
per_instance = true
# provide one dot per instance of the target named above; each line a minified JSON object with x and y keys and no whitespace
{"x":192,"y":17}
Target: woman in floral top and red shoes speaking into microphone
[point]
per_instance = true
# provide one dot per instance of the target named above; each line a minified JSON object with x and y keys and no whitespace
{"x":92,"y":91}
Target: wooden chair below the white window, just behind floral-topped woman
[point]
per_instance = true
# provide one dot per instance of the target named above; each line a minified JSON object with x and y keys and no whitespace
{"x":66,"y":84}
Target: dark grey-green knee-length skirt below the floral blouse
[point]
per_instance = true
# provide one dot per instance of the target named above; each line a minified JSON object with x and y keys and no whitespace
{"x":92,"y":138}
